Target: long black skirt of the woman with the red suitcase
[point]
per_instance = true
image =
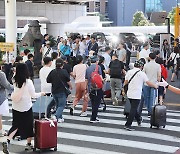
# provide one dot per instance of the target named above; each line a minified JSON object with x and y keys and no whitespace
{"x":23,"y":121}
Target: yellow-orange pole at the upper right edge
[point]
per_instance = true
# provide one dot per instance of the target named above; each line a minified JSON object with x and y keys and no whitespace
{"x":177,"y":22}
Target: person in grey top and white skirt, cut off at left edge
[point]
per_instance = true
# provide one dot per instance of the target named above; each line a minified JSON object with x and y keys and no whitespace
{"x":4,"y":105}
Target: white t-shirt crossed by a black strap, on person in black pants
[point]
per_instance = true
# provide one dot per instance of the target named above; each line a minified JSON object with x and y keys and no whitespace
{"x":136,"y":84}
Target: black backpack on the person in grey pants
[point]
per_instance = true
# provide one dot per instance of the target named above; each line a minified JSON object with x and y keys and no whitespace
{"x":115,"y":69}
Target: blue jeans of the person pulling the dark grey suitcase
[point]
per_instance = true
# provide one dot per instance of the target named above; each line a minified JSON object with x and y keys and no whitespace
{"x":149,"y":97}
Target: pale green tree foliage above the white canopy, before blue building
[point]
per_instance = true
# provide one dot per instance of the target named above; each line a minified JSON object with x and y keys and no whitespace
{"x":140,"y":20}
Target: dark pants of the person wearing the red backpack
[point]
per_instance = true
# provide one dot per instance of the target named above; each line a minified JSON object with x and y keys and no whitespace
{"x":95,"y":96}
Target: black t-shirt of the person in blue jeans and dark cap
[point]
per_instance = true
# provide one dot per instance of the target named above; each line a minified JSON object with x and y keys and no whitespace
{"x":56,"y":77}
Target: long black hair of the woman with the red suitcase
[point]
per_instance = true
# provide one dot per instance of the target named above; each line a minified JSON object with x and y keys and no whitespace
{"x":21,"y":74}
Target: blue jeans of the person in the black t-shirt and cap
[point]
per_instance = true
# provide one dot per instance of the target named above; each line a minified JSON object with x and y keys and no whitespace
{"x":60,"y":100}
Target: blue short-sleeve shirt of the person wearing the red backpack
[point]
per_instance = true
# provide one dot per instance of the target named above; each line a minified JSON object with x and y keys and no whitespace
{"x":89,"y":72}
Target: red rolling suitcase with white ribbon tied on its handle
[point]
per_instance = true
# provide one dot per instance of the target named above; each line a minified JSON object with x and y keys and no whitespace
{"x":45,"y":134}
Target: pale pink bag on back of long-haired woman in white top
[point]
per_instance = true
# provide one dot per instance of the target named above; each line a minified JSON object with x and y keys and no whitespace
{"x":17,"y":94}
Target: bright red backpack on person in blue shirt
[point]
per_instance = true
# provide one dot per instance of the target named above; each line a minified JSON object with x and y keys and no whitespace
{"x":96,"y":79}
